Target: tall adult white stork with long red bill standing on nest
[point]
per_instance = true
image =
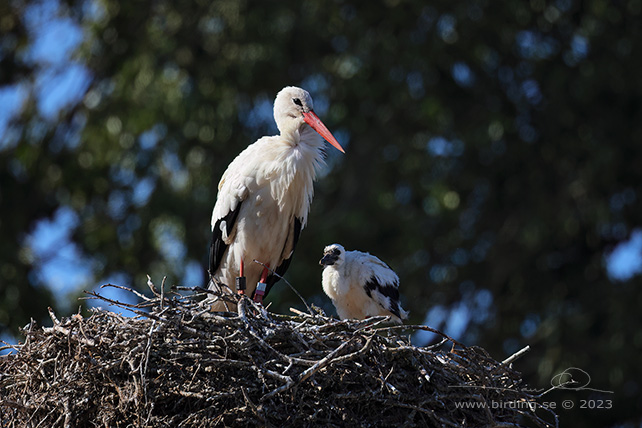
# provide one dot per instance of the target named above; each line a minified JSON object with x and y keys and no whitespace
{"x":264,"y":198}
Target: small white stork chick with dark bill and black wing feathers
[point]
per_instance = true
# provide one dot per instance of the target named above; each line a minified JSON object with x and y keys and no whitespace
{"x":360,"y":285}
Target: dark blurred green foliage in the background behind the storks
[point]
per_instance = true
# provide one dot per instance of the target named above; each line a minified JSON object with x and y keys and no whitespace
{"x":486,"y":142}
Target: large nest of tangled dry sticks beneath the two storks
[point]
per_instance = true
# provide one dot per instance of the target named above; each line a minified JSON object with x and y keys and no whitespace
{"x":176,"y":364}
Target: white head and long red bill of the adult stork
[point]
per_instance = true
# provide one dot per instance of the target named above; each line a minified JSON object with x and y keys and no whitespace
{"x":293,"y":107}
